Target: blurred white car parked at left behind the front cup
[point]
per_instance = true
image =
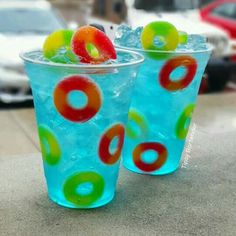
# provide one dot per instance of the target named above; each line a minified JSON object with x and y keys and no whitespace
{"x":23,"y":26}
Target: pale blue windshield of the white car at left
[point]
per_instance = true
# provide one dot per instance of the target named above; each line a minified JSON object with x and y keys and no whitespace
{"x":21,"y":20}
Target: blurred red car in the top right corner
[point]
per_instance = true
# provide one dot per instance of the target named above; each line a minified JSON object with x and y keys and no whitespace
{"x":221,"y":13}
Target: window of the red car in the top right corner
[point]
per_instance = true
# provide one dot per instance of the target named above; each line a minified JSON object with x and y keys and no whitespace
{"x":227,"y":10}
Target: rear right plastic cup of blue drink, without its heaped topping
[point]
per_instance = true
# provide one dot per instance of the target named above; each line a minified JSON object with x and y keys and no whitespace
{"x":161,"y":109}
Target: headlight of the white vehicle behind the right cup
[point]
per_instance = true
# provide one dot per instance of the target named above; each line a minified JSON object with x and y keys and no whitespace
{"x":220,"y":44}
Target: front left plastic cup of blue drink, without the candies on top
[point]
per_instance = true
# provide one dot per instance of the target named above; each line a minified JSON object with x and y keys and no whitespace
{"x":81,"y":112}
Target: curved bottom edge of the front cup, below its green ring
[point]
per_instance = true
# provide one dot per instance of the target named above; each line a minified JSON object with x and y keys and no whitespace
{"x":72,"y":206}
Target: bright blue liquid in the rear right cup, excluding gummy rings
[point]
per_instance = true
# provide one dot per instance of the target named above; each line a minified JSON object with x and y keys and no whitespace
{"x":161,"y":109}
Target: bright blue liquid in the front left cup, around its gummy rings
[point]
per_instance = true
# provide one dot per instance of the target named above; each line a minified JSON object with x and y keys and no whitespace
{"x":78,"y":141}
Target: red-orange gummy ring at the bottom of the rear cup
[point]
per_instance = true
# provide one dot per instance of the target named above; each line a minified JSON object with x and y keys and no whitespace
{"x":158,"y":148}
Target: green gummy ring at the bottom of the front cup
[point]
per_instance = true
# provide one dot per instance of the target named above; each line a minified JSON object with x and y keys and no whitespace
{"x":71,"y":185}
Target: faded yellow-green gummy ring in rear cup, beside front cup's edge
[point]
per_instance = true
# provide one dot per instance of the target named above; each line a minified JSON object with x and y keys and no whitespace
{"x":142,"y":123}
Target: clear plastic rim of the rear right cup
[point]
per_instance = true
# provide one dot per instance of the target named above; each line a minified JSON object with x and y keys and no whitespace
{"x":210,"y":48}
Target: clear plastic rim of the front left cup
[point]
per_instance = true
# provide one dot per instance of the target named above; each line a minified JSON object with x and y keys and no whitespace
{"x":138,"y":59}
